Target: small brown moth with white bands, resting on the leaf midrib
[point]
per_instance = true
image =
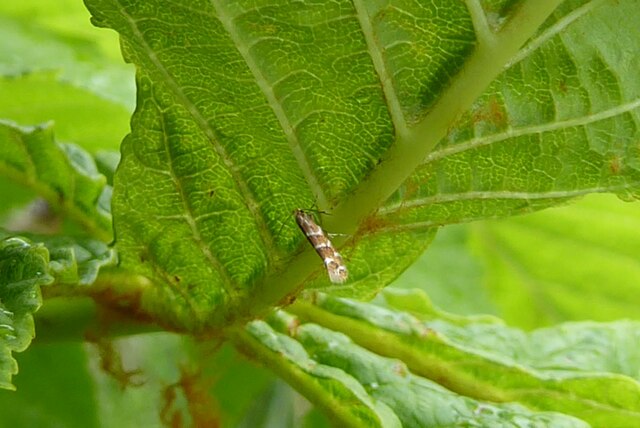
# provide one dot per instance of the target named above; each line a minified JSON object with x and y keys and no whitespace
{"x":315,"y":235}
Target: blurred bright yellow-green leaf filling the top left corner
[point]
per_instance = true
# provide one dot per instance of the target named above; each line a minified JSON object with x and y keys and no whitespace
{"x":57,"y":37}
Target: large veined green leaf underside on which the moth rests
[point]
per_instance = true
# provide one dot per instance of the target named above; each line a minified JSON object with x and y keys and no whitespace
{"x":248,"y":110}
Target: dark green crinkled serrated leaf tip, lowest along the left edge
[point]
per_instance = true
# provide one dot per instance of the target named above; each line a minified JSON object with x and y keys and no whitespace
{"x":23,"y":269}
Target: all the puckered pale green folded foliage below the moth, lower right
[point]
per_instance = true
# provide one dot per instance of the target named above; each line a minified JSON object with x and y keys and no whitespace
{"x":555,"y":372}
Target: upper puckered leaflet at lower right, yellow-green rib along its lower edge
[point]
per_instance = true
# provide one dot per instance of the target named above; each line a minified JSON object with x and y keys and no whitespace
{"x":571,"y":368}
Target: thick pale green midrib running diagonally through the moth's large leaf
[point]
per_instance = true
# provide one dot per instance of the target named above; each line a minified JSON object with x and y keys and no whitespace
{"x":482,"y":67}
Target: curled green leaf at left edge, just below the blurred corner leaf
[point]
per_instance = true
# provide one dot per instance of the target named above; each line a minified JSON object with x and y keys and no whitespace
{"x":63,"y":174}
